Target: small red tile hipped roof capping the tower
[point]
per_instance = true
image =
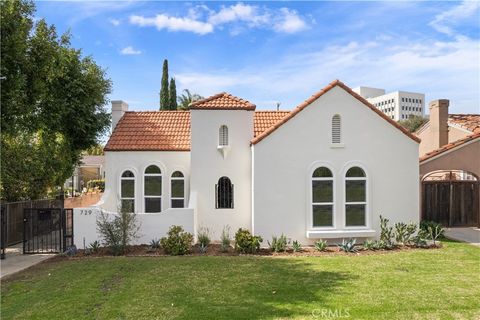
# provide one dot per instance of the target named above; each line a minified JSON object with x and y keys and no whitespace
{"x":222,"y":101}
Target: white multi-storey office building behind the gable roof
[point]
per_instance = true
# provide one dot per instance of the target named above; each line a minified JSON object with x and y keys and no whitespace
{"x":398,"y":105}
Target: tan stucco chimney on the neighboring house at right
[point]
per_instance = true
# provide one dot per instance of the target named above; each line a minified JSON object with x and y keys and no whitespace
{"x":439,"y":122}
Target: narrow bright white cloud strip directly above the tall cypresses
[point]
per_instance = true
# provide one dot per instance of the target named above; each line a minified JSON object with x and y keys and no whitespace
{"x":163,"y":21}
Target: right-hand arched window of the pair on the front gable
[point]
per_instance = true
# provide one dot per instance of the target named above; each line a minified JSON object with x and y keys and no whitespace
{"x":355,"y":197}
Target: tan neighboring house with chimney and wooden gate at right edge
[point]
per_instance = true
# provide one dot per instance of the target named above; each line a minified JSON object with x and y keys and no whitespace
{"x":450,"y":166}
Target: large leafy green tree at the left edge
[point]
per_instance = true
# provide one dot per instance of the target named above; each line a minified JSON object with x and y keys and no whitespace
{"x":52,"y":104}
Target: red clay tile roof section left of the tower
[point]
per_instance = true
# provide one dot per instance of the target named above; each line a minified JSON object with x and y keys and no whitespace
{"x":151,"y":131}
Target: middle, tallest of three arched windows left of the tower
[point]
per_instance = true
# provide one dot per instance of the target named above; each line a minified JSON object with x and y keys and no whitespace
{"x":153,"y":189}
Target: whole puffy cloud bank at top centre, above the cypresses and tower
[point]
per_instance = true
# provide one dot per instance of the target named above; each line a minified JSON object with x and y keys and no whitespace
{"x":203,"y":20}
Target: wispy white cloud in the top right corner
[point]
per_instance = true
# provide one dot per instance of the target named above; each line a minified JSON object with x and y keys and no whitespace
{"x":445,"y":21}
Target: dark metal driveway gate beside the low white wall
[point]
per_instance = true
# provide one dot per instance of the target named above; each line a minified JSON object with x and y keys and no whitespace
{"x":47,"y":230}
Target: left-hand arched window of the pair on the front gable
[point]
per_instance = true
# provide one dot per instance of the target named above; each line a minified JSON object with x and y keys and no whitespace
{"x":322,"y":197}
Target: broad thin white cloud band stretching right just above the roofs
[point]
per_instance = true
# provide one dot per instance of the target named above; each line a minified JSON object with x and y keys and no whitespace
{"x":440,"y":69}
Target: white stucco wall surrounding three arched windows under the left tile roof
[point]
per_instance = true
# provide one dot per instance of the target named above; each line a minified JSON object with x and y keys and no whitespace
{"x":119,"y":161}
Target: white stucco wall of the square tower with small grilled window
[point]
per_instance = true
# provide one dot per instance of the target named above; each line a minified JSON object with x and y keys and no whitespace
{"x":208,"y":165}
